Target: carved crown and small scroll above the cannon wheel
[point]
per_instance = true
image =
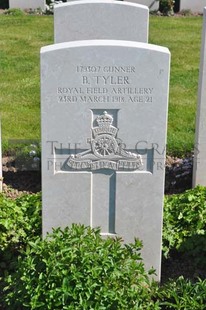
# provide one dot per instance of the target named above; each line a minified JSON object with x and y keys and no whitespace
{"x":104,"y":123}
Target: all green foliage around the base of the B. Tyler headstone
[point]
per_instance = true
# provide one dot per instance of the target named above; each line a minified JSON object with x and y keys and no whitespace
{"x":76,"y":269}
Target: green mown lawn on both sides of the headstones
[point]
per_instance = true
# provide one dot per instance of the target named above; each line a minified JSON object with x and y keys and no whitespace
{"x":22,"y":38}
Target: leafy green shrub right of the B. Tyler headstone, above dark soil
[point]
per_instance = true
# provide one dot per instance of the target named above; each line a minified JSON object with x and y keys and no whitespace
{"x":184,"y":226}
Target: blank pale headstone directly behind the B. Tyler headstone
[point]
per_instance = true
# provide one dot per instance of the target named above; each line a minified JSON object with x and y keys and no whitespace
{"x":103,"y":19}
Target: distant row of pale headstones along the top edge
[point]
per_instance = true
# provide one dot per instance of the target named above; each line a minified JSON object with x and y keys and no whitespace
{"x":194,"y":6}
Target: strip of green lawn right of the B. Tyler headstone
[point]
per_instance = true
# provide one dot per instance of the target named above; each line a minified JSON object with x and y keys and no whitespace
{"x":182,"y":35}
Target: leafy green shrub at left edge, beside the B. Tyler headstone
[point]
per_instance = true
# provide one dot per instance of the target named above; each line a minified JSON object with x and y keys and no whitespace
{"x":20,"y":221}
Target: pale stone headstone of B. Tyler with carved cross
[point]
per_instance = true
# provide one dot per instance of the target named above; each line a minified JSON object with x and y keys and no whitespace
{"x":104,"y":118}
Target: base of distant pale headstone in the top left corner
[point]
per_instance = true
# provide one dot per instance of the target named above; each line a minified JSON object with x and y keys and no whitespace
{"x":27,"y":4}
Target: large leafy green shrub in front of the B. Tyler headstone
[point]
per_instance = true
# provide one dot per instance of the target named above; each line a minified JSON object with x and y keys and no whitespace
{"x":76,"y":269}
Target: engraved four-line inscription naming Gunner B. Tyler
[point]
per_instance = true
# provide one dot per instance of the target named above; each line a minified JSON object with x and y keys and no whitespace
{"x":105,"y":84}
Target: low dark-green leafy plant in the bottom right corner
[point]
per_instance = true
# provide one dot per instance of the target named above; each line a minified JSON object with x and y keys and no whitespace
{"x":183,"y":294}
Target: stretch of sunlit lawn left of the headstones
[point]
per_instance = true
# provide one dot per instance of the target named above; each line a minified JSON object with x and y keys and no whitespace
{"x":20,"y":43}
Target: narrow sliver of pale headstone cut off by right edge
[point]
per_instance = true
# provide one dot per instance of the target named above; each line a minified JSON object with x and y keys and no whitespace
{"x":199,"y":165}
